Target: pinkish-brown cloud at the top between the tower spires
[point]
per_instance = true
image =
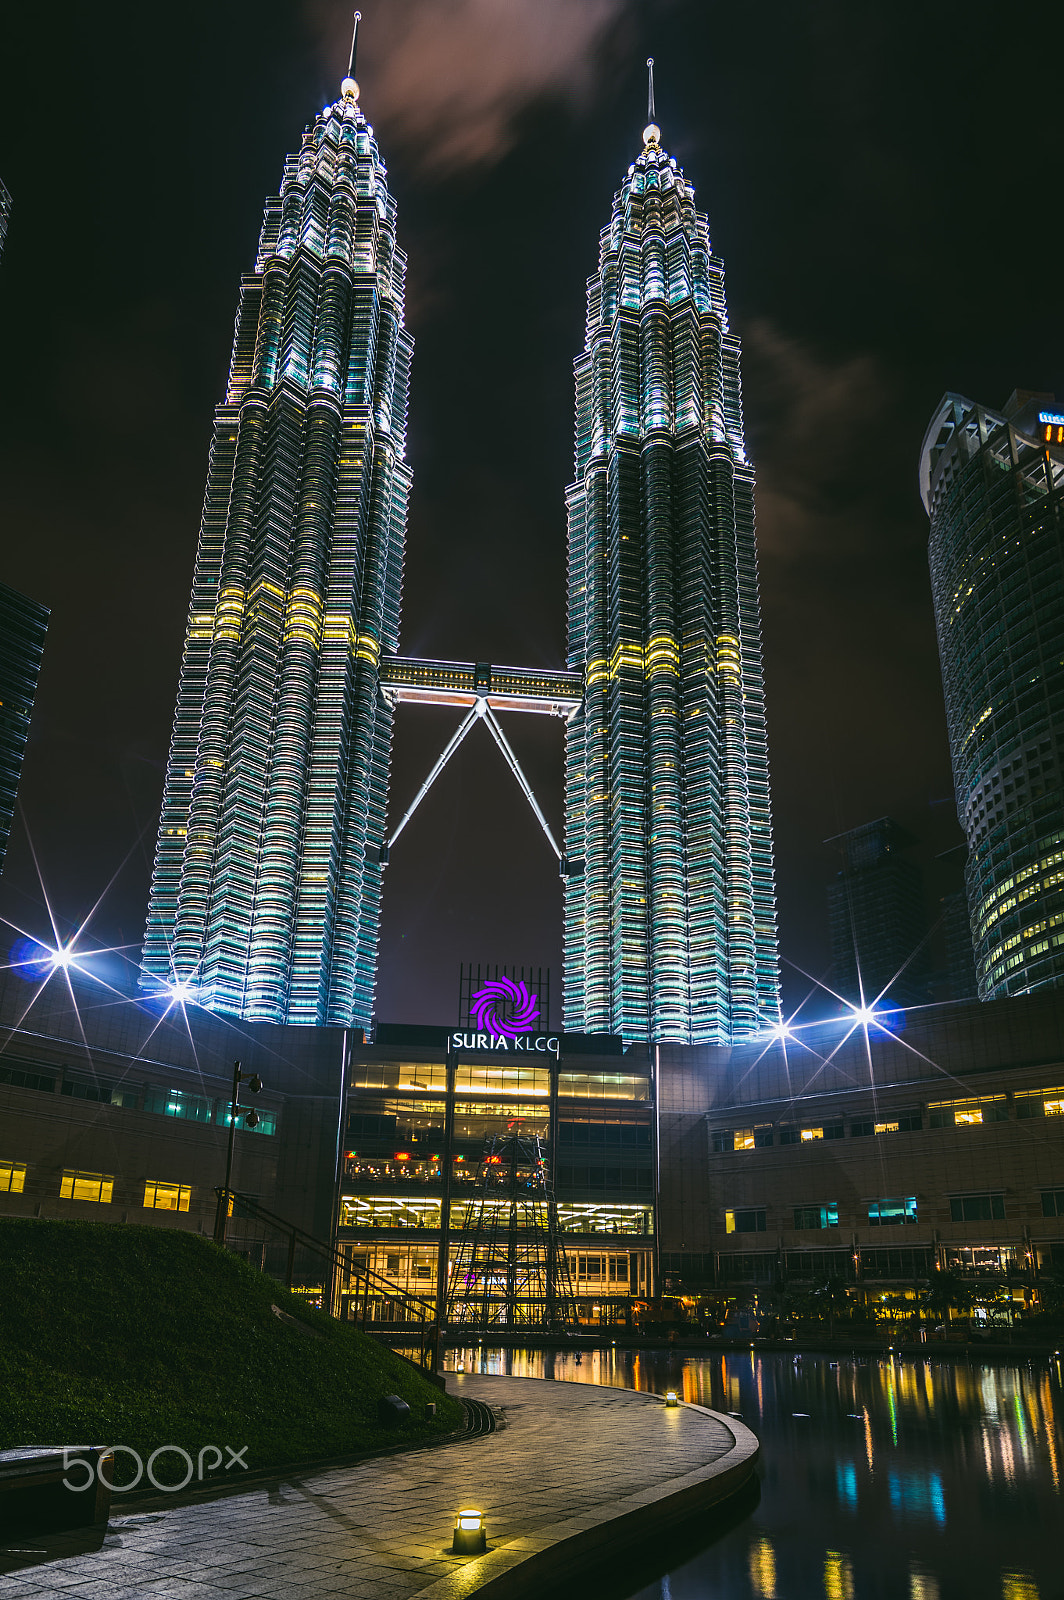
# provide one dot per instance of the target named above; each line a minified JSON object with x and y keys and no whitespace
{"x":450,"y":81}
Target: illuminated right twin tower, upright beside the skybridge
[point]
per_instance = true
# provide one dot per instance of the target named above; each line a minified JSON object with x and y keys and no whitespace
{"x":670,"y":890}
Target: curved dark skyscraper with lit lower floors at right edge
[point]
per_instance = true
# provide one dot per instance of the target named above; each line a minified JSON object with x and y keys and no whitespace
{"x":993,"y":484}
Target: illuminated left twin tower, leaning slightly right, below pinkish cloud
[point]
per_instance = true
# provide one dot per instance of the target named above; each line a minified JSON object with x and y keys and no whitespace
{"x":266,"y":892}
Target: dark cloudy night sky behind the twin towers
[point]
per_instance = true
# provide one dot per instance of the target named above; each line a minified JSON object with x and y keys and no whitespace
{"x":884,"y":188}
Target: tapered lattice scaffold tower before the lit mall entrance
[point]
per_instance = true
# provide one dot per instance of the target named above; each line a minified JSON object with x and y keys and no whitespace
{"x":511,"y":1268}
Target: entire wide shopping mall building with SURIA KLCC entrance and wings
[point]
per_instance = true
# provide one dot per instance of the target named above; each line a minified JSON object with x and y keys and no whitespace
{"x":879,"y":1154}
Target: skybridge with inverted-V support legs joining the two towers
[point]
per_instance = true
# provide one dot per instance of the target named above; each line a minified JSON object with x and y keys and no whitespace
{"x":482,"y":690}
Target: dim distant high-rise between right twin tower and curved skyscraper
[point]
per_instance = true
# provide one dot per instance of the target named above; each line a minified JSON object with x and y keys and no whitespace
{"x":878,"y":921}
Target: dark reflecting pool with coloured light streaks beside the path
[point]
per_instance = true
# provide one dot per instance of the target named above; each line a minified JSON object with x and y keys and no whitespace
{"x":881,"y":1479}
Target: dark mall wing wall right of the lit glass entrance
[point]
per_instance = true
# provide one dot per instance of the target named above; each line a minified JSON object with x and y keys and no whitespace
{"x":772,"y":1162}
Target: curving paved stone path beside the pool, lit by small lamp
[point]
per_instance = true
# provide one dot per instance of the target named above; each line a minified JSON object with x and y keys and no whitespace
{"x":382,"y":1530}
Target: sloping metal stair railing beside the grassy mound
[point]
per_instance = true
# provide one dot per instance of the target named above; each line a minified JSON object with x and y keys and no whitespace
{"x":409,"y":1310}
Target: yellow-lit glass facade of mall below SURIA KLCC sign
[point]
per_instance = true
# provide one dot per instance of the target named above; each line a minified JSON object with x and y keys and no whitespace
{"x":415,"y":1132}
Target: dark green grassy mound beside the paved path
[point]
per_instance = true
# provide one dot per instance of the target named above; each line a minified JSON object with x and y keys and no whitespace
{"x":146,"y":1337}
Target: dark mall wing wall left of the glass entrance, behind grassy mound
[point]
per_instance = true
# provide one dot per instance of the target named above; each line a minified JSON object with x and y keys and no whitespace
{"x":105,"y":1086}
